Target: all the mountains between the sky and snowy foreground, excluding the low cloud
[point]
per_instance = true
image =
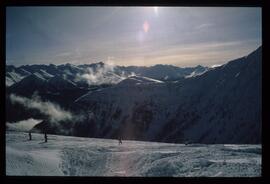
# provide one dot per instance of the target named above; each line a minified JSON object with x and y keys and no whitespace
{"x":159,"y":103}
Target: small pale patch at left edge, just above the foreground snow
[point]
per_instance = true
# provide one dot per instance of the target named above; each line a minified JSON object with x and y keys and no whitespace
{"x":24,"y":125}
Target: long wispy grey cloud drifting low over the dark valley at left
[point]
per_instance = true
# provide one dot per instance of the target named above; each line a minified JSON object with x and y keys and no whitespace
{"x":53,"y":111}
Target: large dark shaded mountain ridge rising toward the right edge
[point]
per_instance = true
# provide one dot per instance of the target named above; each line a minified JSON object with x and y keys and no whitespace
{"x":192,"y":103}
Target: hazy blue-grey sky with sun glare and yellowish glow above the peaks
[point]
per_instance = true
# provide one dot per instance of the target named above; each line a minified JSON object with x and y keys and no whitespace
{"x":141,"y":36}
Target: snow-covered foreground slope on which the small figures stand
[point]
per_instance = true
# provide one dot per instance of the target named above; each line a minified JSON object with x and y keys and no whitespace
{"x":74,"y":156}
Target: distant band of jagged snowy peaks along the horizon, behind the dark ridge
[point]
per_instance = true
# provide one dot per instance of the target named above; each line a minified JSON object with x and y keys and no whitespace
{"x":78,"y":73}
